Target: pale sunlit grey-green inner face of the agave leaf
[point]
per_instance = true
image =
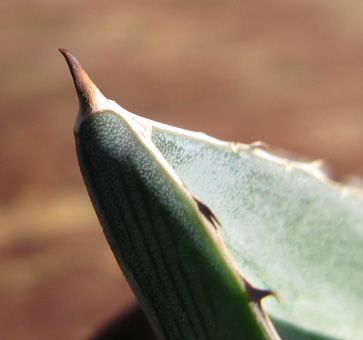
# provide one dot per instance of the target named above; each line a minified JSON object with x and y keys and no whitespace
{"x":288,"y":227}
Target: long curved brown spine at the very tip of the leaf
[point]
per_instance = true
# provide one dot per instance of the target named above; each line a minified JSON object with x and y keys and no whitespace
{"x":90,"y":98}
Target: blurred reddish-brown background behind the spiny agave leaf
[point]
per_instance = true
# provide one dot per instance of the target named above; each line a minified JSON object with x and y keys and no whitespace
{"x":288,"y":73}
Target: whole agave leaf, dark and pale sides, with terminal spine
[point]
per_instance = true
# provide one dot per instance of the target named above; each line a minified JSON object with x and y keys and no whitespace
{"x":203,"y":230}
